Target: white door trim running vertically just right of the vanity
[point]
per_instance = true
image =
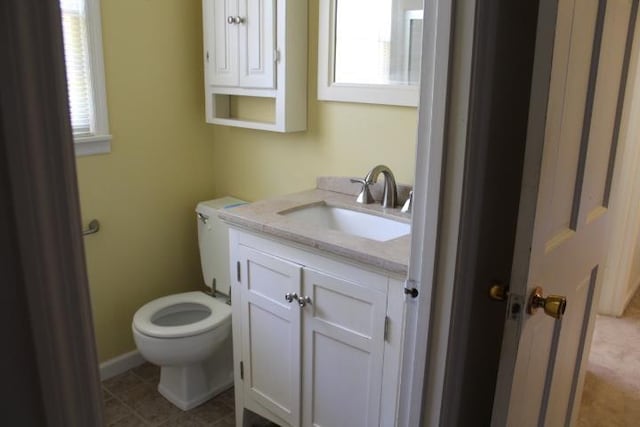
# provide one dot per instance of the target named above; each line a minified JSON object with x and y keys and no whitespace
{"x":444,"y":92}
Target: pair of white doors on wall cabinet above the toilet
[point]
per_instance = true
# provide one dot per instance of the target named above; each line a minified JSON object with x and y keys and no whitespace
{"x":241,"y":46}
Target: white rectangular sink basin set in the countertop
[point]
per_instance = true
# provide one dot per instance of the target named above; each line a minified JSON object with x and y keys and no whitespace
{"x":350,"y":222}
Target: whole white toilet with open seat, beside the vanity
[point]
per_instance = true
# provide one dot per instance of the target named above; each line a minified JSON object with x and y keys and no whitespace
{"x":189,"y":334}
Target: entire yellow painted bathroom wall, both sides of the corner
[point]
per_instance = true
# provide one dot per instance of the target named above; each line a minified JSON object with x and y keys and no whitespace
{"x":165,"y":158}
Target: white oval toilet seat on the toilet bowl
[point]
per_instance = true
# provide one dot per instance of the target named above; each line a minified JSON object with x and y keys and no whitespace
{"x":145,"y":317}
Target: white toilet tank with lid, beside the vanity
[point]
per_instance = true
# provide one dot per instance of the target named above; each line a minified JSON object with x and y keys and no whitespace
{"x":213,"y":240}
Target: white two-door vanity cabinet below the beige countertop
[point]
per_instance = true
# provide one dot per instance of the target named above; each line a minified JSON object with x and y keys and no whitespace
{"x":316,"y":340}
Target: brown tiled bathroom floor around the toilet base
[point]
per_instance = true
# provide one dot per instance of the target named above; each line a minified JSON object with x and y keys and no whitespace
{"x":131,"y":399}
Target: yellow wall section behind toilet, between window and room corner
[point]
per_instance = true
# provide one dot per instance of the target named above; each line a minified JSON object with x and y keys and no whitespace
{"x":145,"y":190}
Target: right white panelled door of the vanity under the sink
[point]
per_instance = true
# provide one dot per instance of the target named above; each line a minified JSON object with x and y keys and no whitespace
{"x":343,"y":348}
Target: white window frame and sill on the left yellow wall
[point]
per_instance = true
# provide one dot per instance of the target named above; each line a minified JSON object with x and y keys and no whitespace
{"x":99,"y":141}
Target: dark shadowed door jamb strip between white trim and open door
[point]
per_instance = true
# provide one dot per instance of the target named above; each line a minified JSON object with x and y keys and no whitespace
{"x":490,"y":199}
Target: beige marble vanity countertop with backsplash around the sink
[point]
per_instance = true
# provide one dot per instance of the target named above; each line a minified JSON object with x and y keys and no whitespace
{"x":264,"y":216}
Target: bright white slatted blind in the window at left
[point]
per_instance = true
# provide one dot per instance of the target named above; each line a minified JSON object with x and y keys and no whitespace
{"x":74,"y":27}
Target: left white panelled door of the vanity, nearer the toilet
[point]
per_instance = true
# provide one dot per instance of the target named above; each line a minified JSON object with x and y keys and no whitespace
{"x":270,"y":334}
